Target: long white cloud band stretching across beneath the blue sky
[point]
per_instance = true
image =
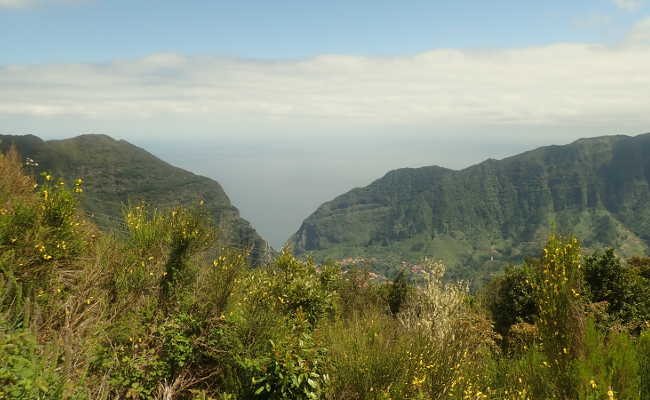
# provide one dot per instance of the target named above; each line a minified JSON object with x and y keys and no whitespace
{"x":555,"y":84}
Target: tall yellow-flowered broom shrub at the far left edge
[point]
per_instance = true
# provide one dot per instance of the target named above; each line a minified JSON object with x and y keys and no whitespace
{"x":42,"y":237}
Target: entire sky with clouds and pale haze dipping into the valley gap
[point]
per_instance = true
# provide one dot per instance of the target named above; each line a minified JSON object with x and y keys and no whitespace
{"x":290,"y":103}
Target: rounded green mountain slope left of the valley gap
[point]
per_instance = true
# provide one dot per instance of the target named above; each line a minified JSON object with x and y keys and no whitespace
{"x":117,"y":172}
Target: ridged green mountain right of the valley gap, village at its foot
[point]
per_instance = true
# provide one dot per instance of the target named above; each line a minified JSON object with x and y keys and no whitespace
{"x":495,"y":212}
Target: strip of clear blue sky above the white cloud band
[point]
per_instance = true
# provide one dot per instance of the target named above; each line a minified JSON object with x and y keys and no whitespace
{"x":73,"y":31}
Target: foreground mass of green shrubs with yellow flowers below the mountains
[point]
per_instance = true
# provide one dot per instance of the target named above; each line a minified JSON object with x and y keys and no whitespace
{"x":163,"y":310}
